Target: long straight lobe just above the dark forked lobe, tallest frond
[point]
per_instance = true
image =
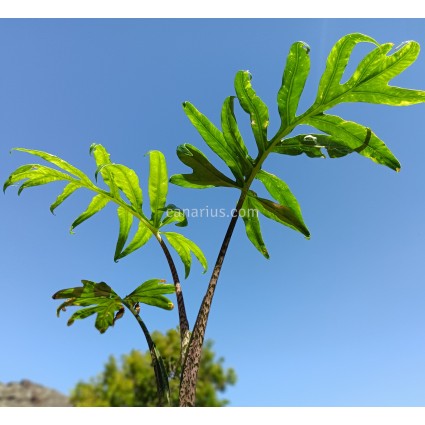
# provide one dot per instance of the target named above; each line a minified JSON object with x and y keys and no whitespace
{"x":215,"y":139}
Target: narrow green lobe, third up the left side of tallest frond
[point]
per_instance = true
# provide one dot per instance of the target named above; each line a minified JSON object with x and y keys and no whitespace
{"x":233,"y":138}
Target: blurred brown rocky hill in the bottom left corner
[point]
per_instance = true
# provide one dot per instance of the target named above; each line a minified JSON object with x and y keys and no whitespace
{"x":29,"y":394}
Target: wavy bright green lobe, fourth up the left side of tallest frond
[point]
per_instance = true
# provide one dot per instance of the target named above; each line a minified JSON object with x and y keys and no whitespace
{"x":254,"y":106}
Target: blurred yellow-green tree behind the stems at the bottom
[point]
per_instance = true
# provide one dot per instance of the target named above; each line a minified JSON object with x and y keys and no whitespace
{"x":132,"y":383}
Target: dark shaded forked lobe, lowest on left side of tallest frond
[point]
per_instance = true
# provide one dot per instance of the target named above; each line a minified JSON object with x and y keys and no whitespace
{"x":204,"y":173}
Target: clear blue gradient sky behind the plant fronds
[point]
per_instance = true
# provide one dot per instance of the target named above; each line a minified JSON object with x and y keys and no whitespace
{"x":338,"y":320}
